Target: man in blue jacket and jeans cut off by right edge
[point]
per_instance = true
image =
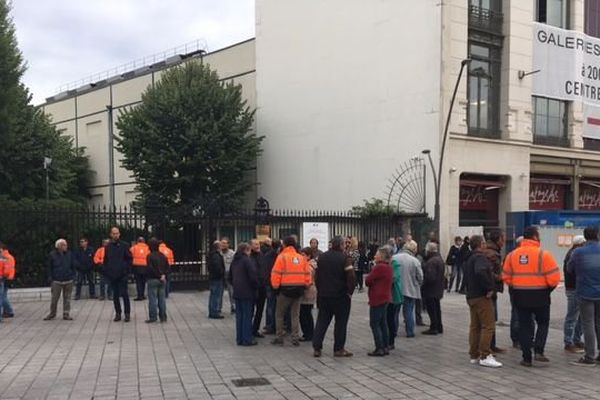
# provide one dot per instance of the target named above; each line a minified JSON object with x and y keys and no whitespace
{"x":585,"y":264}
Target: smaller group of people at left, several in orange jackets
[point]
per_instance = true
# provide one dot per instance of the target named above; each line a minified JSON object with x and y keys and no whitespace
{"x":116,"y":261}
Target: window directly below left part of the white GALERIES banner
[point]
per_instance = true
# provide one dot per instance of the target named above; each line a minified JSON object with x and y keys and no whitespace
{"x":550,"y":121}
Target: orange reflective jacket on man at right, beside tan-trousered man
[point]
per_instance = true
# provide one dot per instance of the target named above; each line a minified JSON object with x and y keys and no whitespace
{"x":529,"y":267}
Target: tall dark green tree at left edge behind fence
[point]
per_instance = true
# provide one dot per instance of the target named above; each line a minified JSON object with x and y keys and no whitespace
{"x":27,"y":136}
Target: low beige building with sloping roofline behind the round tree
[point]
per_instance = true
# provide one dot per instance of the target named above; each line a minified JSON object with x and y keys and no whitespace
{"x":89,"y":113}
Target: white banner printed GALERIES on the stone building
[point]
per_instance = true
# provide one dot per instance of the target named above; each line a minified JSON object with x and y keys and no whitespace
{"x":567,"y":67}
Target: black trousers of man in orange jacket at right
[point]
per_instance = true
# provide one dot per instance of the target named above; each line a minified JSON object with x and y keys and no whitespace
{"x":527,"y":328}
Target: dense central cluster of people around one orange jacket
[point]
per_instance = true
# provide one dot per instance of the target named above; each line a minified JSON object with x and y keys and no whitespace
{"x":285,"y":282}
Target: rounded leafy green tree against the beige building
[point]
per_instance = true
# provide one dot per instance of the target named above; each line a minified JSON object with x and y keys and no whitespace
{"x":190,"y":143}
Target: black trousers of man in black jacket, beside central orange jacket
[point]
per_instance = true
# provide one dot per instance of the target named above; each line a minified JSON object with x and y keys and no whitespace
{"x":329,"y":308}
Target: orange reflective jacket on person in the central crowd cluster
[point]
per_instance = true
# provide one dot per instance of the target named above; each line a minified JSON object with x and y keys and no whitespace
{"x":290,"y":269}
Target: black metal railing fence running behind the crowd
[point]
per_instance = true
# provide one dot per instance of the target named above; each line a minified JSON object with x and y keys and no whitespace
{"x":30,"y":233}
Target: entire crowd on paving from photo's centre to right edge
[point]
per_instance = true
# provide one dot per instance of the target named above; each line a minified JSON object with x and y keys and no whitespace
{"x":401,"y":280}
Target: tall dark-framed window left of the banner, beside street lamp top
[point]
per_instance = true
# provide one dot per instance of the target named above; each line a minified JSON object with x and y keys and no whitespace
{"x":483,"y":89}
